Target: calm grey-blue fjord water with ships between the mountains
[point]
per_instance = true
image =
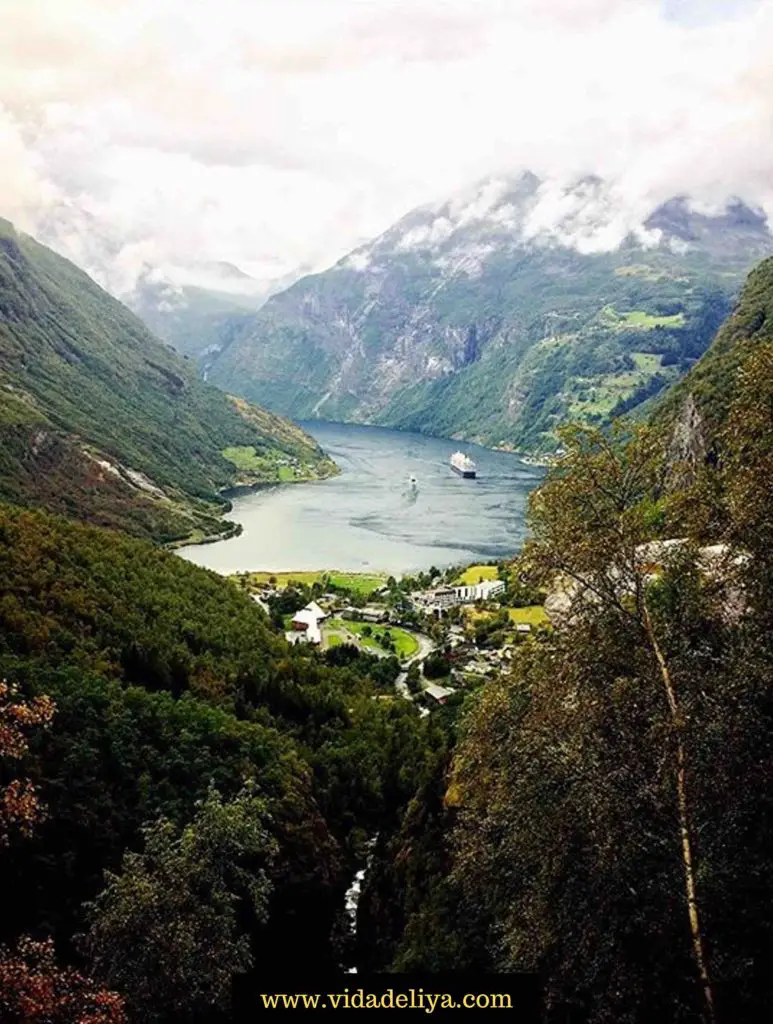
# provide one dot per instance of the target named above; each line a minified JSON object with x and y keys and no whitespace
{"x":372,"y":518}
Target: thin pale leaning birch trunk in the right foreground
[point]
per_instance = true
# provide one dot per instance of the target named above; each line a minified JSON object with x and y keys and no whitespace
{"x":684,"y":823}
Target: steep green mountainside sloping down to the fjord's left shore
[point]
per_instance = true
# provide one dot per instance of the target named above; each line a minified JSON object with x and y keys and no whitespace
{"x":101,"y":420}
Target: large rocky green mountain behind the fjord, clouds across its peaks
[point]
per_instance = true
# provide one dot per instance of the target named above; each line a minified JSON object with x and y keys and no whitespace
{"x":500,"y":314}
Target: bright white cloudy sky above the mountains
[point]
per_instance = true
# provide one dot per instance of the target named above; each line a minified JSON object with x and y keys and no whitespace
{"x":279,"y":134}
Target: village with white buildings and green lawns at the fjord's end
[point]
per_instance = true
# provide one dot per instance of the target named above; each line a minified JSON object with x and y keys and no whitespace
{"x":441,"y":633}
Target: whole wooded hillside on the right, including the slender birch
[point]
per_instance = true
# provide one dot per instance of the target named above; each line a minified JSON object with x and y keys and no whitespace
{"x":606,"y":817}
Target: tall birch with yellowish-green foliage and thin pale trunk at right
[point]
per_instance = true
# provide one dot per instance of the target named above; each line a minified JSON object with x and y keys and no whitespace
{"x":599,"y":807}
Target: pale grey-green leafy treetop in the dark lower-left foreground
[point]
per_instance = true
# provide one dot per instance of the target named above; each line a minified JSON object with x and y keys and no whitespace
{"x":166,"y":930}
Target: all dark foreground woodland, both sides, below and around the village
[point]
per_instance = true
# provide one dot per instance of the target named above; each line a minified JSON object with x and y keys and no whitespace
{"x":600,"y":816}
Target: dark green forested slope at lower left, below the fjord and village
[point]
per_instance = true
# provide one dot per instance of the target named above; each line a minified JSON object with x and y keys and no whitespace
{"x":155,"y":729}
